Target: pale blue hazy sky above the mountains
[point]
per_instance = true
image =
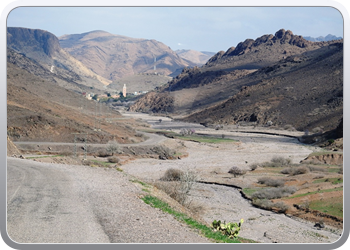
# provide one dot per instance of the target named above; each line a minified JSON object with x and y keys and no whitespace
{"x":199,"y":28}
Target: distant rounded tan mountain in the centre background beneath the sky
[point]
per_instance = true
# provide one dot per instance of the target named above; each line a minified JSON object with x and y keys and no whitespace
{"x":116,"y":56}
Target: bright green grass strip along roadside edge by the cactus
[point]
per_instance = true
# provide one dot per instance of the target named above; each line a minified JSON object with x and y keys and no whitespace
{"x":218,"y":237}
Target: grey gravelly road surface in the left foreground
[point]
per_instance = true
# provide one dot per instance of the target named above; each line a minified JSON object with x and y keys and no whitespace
{"x":53,"y":203}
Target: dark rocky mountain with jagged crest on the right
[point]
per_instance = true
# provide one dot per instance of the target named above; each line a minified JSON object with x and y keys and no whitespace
{"x":281,"y":78}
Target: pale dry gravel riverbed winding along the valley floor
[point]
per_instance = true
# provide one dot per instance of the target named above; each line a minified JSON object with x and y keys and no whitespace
{"x":226,"y":203}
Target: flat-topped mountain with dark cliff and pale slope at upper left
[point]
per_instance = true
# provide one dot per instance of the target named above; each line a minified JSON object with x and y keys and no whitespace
{"x":44,"y":49}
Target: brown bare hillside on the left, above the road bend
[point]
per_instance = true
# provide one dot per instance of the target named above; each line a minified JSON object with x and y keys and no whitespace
{"x":39,"y":109}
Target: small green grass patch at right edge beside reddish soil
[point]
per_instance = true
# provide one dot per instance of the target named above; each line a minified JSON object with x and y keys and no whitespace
{"x":332,"y":206}
